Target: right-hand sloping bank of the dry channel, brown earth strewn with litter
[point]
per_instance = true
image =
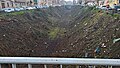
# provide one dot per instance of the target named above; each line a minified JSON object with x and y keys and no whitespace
{"x":91,"y":30}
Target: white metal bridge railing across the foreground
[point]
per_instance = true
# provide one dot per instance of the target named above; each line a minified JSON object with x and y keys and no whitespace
{"x":60,"y":61}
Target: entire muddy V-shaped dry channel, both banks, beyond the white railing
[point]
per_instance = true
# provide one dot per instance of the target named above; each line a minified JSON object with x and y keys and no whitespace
{"x":67,"y":31}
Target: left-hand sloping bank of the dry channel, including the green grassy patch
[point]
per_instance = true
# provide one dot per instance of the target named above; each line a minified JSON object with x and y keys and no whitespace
{"x":30,"y":33}
